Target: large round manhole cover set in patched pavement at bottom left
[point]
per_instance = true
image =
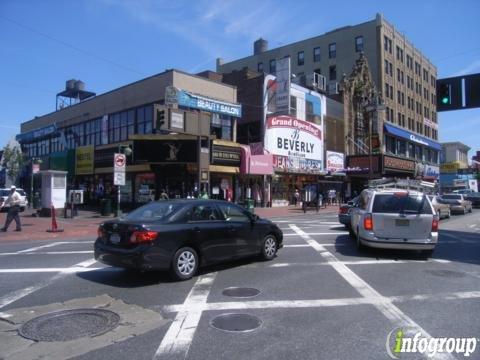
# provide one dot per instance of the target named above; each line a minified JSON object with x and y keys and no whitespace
{"x":69,"y":325}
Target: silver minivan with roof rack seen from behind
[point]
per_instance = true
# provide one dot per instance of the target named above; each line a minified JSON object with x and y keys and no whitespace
{"x":395,"y":219}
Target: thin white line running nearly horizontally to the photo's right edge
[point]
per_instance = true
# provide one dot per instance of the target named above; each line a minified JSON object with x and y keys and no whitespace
{"x":285,"y":304}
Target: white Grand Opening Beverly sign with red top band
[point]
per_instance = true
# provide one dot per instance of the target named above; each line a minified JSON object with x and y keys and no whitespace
{"x":299,"y":142}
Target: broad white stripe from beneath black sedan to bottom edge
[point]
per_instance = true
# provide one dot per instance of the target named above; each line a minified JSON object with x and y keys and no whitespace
{"x":179,"y":336}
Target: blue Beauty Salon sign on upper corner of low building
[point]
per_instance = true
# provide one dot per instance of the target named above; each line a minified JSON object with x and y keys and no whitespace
{"x":199,"y":102}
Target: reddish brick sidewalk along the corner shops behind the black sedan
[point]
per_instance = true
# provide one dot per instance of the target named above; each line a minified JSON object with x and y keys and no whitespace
{"x":85,"y":225}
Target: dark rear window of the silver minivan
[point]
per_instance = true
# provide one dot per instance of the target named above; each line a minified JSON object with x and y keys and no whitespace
{"x":392,"y":204}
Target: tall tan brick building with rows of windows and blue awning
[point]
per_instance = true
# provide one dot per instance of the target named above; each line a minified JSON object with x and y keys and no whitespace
{"x":405,"y":142}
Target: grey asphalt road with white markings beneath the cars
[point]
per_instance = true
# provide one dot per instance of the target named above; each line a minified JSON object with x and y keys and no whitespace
{"x":319,"y":299}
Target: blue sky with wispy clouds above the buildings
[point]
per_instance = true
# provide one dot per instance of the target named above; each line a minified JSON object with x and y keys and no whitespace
{"x":109,"y":43}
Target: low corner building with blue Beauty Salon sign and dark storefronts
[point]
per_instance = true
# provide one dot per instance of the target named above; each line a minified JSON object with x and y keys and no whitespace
{"x":181,"y":129}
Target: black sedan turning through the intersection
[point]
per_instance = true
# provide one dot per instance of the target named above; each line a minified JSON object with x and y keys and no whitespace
{"x":181,"y":235}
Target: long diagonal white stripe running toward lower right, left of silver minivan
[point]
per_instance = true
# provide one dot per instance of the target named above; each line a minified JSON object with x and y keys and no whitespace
{"x":383,"y":304}
